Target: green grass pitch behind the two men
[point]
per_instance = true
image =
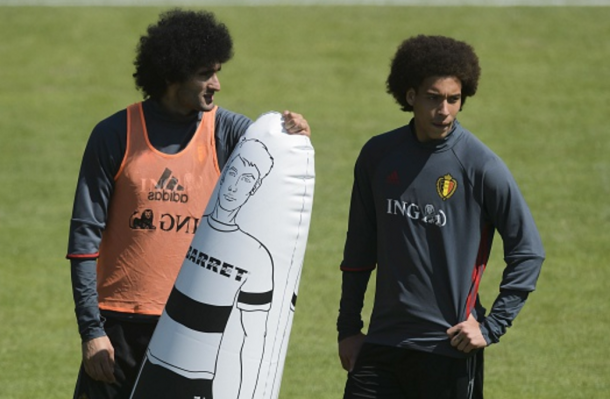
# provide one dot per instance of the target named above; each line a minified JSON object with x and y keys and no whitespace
{"x":542,"y":106}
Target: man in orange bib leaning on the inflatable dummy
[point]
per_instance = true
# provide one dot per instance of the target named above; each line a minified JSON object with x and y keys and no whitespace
{"x":157,"y":160}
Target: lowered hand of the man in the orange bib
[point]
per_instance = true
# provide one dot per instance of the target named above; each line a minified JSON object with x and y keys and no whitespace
{"x":98,"y":359}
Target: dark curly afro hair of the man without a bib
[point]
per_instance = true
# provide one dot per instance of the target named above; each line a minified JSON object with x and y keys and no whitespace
{"x":421,"y":57}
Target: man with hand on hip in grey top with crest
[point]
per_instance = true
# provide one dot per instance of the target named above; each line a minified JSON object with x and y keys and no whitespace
{"x":427,"y":200}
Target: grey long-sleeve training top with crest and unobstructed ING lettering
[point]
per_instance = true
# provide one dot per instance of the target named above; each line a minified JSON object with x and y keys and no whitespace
{"x":424,"y":215}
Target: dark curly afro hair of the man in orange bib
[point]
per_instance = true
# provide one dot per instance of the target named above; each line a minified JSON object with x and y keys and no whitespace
{"x":178,"y":45}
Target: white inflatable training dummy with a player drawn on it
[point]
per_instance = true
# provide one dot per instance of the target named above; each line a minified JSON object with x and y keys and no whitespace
{"x":224,"y":331}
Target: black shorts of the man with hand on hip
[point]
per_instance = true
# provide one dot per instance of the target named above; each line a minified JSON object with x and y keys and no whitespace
{"x":396,"y":373}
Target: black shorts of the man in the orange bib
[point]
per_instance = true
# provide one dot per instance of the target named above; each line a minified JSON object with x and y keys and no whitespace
{"x":130,"y":340}
